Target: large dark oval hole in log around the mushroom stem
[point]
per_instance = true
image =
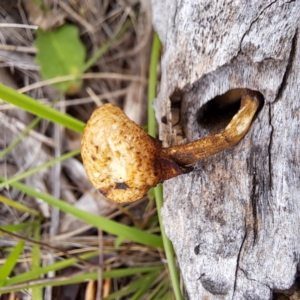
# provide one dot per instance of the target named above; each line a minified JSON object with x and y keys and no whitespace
{"x":217,"y":113}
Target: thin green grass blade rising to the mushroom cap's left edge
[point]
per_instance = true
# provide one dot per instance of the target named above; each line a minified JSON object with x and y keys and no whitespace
{"x":39,"y":168}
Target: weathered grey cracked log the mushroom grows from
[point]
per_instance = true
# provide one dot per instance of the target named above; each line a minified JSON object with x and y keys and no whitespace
{"x":234,"y":221}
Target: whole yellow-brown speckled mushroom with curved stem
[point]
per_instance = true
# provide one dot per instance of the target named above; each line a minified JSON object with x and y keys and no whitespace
{"x":123,"y":162}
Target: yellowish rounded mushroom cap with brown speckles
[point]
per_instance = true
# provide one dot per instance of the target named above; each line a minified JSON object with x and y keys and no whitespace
{"x":119,"y":156}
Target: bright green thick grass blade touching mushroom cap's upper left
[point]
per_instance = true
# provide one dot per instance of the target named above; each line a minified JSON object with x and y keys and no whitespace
{"x":24,"y":102}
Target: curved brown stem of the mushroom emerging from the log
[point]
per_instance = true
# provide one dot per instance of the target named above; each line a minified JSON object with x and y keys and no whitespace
{"x":194,"y":151}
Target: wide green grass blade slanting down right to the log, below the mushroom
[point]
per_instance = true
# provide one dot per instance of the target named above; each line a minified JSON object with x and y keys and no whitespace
{"x":109,"y":226}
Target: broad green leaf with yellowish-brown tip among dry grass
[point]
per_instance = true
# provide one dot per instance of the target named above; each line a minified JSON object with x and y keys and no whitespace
{"x":61,"y":53}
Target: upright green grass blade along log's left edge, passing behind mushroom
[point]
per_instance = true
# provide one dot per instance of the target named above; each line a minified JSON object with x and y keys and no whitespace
{"x":158,"y":189}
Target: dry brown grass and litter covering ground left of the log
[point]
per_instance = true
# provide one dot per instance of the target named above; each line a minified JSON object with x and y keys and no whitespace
{"x":98,"y":22}
